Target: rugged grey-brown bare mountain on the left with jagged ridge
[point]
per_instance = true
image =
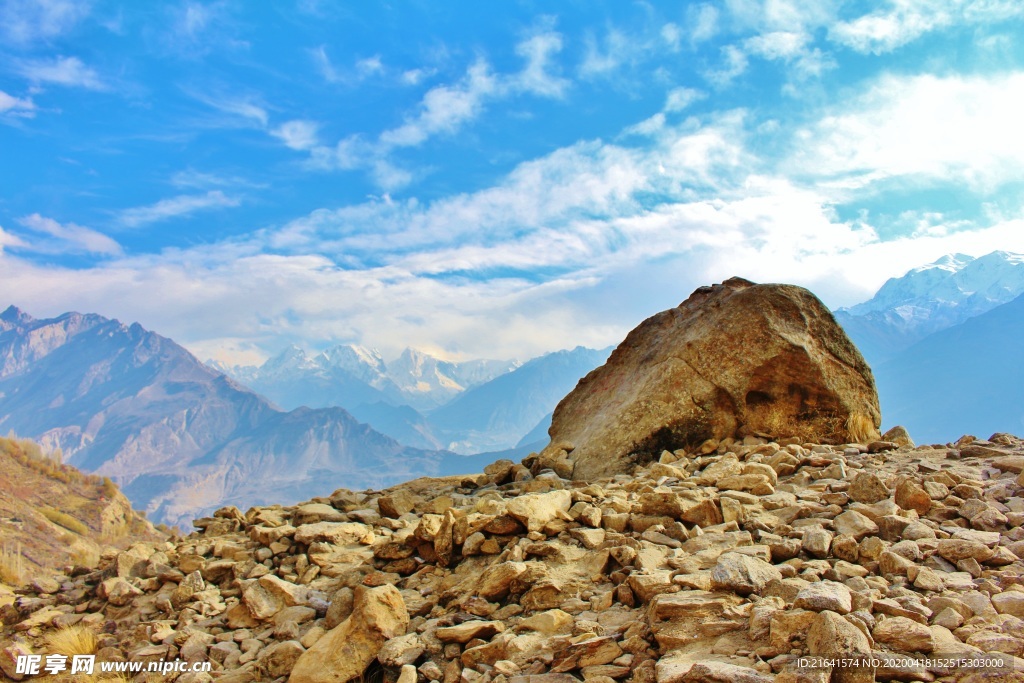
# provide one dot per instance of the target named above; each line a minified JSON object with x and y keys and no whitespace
{"x":179,"y":437}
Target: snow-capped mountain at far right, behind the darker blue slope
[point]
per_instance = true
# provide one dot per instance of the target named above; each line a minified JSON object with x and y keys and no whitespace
{"x":931,"y":298}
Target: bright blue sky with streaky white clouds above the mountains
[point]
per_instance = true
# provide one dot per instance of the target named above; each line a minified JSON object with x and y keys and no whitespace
{"x":491,"y":180}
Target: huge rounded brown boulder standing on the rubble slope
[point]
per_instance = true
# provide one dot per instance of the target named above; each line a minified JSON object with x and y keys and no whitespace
{"x":733,"y":360}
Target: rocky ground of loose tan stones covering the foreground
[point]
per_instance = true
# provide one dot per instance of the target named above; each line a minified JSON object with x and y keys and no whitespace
{"x":724,"y":565}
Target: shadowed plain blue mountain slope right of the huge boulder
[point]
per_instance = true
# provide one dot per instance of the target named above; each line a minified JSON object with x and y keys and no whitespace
{"x":969,"y":378}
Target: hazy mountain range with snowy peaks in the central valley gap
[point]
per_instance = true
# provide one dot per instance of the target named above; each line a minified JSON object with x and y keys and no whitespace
{"x":421,"y":401}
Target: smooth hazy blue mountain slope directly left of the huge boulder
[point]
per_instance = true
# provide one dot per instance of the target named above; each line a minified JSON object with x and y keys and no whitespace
{"x":495,"y":416}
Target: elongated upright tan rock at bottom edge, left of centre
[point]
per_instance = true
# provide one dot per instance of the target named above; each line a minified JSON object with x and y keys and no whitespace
{"x":346,"y":652}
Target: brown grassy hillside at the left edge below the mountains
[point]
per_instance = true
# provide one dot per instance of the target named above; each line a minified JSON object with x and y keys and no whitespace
{"x":53,"y":516}
